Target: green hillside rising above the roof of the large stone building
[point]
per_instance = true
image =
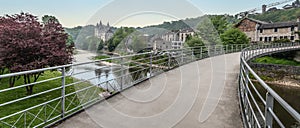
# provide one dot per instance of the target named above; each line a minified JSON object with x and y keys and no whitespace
{"x":278,"y":15}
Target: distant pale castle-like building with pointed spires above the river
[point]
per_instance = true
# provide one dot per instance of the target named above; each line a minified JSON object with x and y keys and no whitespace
{"x":104,"y":32}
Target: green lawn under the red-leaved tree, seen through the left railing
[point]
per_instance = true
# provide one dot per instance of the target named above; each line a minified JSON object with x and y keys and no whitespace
{"x":46,"y":112}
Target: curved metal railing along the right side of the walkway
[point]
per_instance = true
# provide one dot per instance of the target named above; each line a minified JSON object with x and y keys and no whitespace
{"x":258,"y":106}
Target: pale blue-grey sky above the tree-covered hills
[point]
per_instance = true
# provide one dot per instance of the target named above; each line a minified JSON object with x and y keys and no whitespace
{"x":72,"y":13}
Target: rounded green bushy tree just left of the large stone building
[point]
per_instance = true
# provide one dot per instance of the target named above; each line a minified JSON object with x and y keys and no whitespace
{"x":234,"y":36}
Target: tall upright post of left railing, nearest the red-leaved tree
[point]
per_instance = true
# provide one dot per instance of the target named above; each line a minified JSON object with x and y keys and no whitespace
{"x":63,"y":92}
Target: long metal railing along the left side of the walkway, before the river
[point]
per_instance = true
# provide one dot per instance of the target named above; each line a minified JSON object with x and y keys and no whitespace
{"x":71,"y":93}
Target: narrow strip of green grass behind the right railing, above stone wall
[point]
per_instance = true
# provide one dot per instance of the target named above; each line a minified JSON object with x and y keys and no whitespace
{"x":273,"y":60}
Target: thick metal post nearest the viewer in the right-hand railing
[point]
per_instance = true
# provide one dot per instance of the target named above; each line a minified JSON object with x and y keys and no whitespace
{"x":268,"y":115}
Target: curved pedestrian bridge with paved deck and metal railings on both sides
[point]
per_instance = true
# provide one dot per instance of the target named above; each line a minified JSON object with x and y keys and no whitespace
{"x":209,"y":86}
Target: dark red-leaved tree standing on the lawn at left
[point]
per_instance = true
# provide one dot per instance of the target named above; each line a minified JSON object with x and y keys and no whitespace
{"x":26,"y":44}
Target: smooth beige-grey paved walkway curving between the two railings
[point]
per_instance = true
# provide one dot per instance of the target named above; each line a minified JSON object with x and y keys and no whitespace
{"x":201,"y":94}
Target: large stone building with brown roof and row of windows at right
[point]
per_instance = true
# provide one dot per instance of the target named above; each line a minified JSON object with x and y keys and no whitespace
{"x":260,"y":31}
